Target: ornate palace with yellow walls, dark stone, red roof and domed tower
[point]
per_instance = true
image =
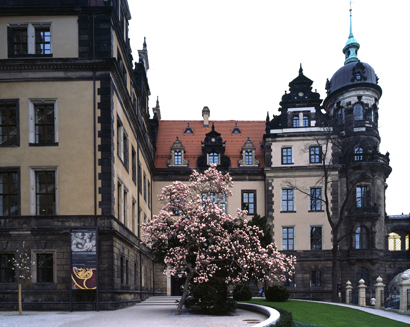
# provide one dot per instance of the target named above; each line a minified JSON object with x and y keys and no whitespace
{"x":82,"y":162}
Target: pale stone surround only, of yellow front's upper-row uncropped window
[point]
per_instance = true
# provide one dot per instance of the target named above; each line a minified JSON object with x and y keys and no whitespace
{"x":32,"y":121}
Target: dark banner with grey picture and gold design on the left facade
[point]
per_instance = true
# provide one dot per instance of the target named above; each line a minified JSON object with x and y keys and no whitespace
{"x":84,"y":258}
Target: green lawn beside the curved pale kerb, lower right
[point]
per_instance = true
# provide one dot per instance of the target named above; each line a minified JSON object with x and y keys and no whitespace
{"x":327,"y":315}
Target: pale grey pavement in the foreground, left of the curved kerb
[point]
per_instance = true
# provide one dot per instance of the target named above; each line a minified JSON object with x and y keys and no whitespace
{"x":146,"y":316}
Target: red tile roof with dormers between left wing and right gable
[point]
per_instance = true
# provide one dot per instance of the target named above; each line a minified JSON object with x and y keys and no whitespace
{"x":168,"y":131}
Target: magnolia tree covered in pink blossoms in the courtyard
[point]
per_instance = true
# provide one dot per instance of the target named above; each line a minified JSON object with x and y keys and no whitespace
{"x":193,"y":234}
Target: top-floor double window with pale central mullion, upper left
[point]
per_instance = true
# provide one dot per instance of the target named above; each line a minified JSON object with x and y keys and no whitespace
{"x":30,"y":39}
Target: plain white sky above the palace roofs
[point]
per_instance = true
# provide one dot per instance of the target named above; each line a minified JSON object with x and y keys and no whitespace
{"x":237,"y":57}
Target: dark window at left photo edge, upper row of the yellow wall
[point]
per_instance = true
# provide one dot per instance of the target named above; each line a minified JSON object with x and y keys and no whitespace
{"x":9,"y":123}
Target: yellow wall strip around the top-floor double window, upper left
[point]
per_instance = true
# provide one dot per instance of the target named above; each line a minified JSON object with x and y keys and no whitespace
{"x":64,"y":44}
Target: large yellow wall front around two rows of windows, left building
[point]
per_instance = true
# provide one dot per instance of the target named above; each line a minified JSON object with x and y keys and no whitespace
{"x":73,"y":156}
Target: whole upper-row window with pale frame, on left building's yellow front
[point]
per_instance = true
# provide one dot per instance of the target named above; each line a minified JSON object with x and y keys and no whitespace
{"x":43,"y":122}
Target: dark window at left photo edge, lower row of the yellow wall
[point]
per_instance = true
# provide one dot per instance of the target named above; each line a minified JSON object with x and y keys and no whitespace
{"x":9,"y":193}
